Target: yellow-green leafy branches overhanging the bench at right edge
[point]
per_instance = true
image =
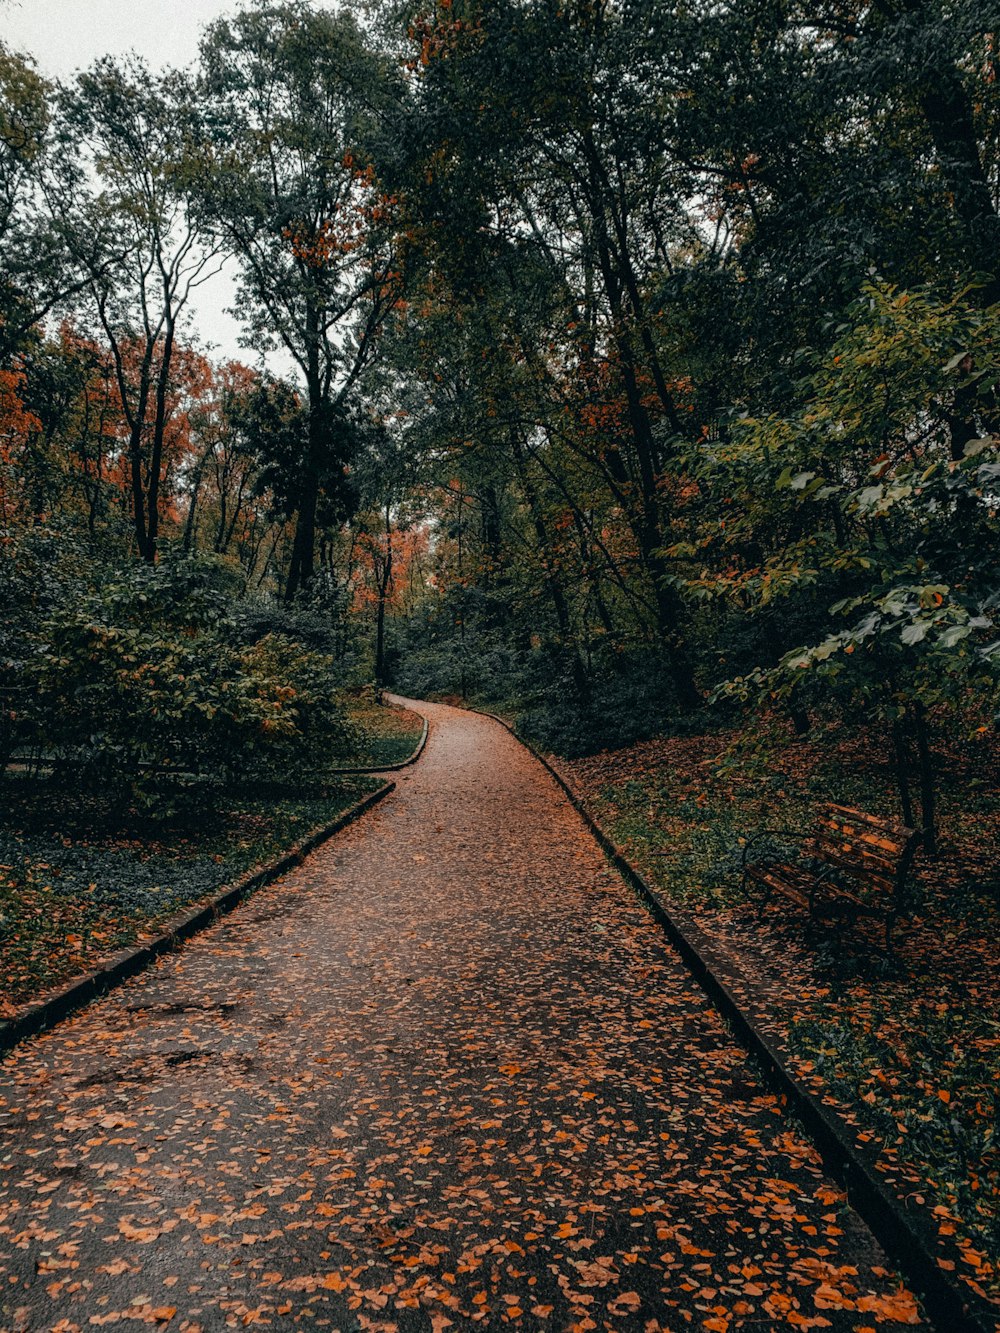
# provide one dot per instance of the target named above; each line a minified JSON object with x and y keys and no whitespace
{"x":897,"y":523}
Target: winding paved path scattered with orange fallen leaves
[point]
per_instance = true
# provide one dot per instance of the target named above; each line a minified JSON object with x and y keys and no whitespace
{"x":449,"y":1074}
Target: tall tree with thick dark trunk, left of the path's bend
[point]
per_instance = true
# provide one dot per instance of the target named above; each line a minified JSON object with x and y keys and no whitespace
{"x":295,"y":99}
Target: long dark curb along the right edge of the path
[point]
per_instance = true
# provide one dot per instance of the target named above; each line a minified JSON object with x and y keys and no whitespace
{"x":907,"y":1238}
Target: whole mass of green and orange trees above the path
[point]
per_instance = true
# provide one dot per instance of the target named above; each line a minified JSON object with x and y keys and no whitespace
{"x":642,"y":359}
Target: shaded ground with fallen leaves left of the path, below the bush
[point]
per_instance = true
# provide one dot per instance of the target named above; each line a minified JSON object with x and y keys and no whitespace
{"x":82,"y":878}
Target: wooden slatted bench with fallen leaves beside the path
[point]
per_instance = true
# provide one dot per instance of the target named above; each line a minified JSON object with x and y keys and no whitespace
{"x":851,"y":864}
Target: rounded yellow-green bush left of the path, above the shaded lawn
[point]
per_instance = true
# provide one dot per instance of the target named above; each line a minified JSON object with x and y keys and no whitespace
{"x":141,"y":680}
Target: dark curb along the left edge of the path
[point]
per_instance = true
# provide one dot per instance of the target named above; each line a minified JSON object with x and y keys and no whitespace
{"x":63,"y":1000}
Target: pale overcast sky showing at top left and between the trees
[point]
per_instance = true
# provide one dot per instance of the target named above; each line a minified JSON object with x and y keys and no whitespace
{"x":67,"y":35}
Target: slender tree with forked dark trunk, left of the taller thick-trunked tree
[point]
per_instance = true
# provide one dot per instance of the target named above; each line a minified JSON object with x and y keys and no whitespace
{"x":142,"y":243}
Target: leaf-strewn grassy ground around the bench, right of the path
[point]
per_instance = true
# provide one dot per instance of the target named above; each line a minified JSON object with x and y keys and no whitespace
{"x":909,"y":1047}
